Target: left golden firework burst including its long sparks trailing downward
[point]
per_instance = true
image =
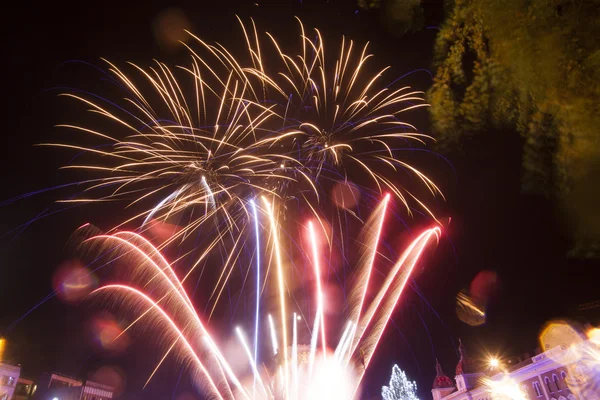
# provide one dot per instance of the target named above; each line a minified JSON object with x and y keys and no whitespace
{"x":192,"y":158}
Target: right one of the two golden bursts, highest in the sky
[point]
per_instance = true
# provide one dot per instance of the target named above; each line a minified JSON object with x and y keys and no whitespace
{"x":346,"y":123}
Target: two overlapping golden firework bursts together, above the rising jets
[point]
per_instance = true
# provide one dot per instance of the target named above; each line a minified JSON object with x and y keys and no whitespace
{"x":194,"y":143}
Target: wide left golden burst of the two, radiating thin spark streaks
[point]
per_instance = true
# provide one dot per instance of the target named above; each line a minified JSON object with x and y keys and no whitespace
{"x":194,"y":165}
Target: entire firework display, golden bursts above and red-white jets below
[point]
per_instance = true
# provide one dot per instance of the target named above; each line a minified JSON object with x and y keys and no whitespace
{"x":225,"y":149}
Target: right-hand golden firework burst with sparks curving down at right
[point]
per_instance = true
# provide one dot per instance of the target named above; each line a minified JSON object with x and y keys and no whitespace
{"x":335,"y":116}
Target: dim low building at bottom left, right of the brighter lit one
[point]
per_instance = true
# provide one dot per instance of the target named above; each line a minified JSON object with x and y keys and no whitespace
{"x":55,"y":386}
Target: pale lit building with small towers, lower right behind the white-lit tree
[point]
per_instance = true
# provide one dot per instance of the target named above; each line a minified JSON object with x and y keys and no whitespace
{"x":557,"y":374}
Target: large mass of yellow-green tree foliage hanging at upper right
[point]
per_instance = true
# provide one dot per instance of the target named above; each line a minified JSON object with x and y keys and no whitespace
{"x":531,"y":66}
